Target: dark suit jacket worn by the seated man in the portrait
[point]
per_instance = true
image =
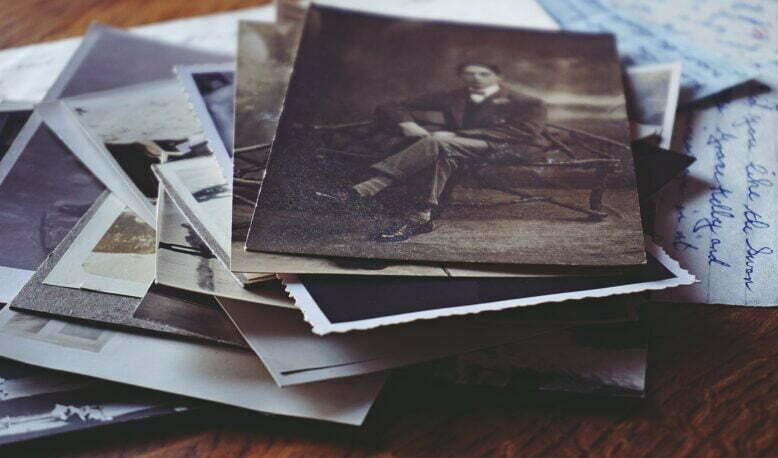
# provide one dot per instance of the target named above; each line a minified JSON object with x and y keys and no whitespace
{"x":505,"y":117}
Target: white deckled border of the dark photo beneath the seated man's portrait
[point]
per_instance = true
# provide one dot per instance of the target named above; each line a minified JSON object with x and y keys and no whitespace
{"x":322,"y":325}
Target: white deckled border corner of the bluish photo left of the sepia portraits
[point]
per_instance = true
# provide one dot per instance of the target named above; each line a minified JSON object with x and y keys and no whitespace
{"x":186,"y":77}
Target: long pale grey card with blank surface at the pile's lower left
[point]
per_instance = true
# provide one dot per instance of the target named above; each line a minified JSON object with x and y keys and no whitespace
{"x":209,"y":372}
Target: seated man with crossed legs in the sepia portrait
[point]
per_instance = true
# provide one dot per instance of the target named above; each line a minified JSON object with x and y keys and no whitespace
{"x":484,"y":122}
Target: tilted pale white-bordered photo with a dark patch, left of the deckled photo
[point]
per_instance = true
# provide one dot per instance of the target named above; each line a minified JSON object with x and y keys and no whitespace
{"x":120,"y":133}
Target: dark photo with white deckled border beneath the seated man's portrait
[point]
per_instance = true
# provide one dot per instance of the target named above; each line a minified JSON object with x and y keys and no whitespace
{"x":382,"y":301}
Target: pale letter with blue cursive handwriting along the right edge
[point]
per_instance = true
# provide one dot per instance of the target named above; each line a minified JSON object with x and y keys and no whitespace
{"x":720,"y":219}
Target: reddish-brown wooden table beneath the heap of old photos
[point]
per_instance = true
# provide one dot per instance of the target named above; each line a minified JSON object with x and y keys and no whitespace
{"x":712,"y":382}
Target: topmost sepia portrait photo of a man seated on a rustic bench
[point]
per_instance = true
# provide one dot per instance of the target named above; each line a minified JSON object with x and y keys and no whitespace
{"x":434,"y":141}
